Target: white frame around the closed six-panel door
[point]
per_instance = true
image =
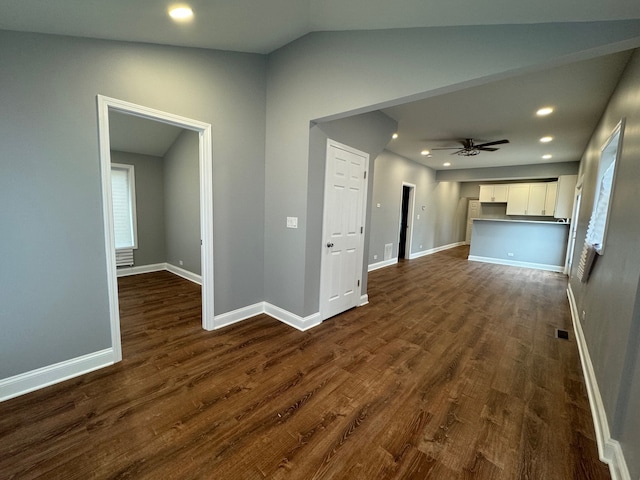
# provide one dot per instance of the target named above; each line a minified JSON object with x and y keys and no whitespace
{"x":325,"y":226}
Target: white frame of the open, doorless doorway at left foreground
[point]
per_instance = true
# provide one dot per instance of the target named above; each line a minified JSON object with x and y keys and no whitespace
{"x":106,"y":104}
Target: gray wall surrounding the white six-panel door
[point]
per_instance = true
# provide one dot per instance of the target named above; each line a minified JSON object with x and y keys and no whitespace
{"x":369,"y":133}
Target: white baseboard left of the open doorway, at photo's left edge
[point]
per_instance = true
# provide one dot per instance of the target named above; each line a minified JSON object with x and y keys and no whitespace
{"x":59,"y":372}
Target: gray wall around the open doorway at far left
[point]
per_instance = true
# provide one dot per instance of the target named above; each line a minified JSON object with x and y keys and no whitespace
{"x":54,"y":304}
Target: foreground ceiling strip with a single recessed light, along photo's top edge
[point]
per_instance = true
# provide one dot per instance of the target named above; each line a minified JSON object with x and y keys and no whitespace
{"x":262,"y":26}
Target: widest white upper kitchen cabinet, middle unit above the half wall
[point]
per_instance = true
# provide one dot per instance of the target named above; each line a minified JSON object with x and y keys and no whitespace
{"x":535,"y":199}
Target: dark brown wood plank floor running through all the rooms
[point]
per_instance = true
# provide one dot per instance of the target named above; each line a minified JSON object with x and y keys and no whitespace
{"x":452,"y":371}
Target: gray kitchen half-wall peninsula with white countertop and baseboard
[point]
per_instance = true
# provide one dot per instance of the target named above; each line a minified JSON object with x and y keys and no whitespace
{"x":522,"y":243}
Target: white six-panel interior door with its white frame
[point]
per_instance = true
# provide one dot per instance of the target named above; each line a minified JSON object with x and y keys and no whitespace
{"x":343,"y":228}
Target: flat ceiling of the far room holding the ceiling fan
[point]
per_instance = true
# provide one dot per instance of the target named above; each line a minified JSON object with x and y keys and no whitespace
{"x":503,"y":109}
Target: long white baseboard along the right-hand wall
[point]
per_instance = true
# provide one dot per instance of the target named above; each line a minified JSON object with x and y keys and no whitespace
{"x":609,"y":450}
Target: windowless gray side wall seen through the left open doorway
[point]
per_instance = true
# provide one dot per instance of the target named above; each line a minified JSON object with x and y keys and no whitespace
{"x":182,"y":203}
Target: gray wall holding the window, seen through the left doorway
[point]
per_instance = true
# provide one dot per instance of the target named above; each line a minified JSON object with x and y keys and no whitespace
{"x":149,"y":174}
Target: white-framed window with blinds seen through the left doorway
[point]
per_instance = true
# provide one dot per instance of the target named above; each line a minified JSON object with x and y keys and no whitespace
{"x":123,"y":193}
